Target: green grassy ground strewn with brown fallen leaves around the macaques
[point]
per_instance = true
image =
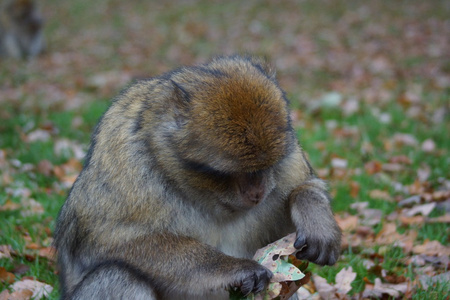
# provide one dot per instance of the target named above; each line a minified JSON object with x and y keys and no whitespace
{"x":369,"y":87}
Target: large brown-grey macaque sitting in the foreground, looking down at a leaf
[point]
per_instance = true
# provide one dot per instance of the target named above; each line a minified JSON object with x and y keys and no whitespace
{"x":187,"y":175}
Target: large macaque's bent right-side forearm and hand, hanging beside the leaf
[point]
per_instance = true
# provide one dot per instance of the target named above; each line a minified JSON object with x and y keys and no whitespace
{"x":318,"y":234}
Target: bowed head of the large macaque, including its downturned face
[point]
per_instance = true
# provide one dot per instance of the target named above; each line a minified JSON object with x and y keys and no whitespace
{"x":233,"y":128}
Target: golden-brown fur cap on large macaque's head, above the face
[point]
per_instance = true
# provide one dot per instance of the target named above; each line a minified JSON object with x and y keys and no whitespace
{"x":244,"y":111}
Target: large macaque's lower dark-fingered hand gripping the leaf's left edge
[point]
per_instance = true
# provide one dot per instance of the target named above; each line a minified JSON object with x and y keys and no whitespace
{"x":251,"y":277}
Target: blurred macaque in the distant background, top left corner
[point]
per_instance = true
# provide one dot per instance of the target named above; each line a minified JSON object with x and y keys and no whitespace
{"x":21,"y":24}
